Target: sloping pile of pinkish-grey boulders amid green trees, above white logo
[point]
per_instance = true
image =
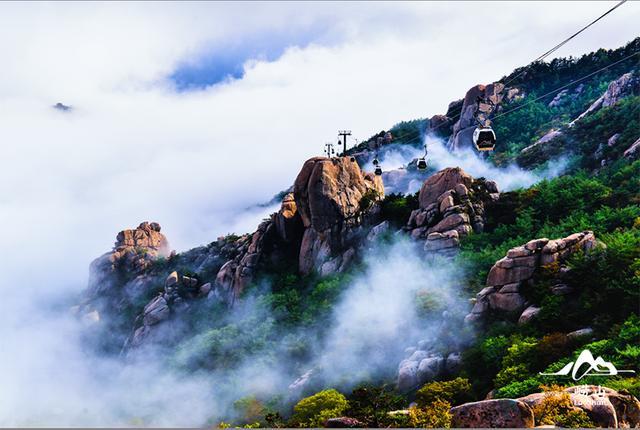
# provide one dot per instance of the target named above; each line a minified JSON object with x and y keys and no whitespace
{"x":502,"y":295}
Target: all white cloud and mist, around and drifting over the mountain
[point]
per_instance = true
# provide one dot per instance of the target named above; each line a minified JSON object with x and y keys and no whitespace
{"x":135,"y":148}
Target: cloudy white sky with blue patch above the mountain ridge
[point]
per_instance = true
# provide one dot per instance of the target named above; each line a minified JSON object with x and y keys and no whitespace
{"x":189,"y":113}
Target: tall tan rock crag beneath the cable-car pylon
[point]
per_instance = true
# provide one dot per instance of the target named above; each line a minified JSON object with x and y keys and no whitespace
{"x":333,"y":198}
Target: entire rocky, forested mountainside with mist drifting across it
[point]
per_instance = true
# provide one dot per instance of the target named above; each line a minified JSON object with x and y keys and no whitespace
{"x":362,"y":302}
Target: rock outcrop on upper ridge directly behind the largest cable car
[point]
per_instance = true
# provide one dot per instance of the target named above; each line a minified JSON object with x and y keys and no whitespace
{"x":462,"y":133}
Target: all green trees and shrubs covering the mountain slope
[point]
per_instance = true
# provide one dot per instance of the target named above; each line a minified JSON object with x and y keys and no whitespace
{"x":290,"y":312}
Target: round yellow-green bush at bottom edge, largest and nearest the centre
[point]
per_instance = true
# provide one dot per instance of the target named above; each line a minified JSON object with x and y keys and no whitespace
{"x":313,"y":411}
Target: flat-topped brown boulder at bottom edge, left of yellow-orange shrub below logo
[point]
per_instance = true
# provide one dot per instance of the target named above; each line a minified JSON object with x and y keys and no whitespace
{"x":497,"y":413}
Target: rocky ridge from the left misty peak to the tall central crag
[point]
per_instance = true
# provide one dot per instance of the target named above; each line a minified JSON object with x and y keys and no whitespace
{"x":320,"y":225}
